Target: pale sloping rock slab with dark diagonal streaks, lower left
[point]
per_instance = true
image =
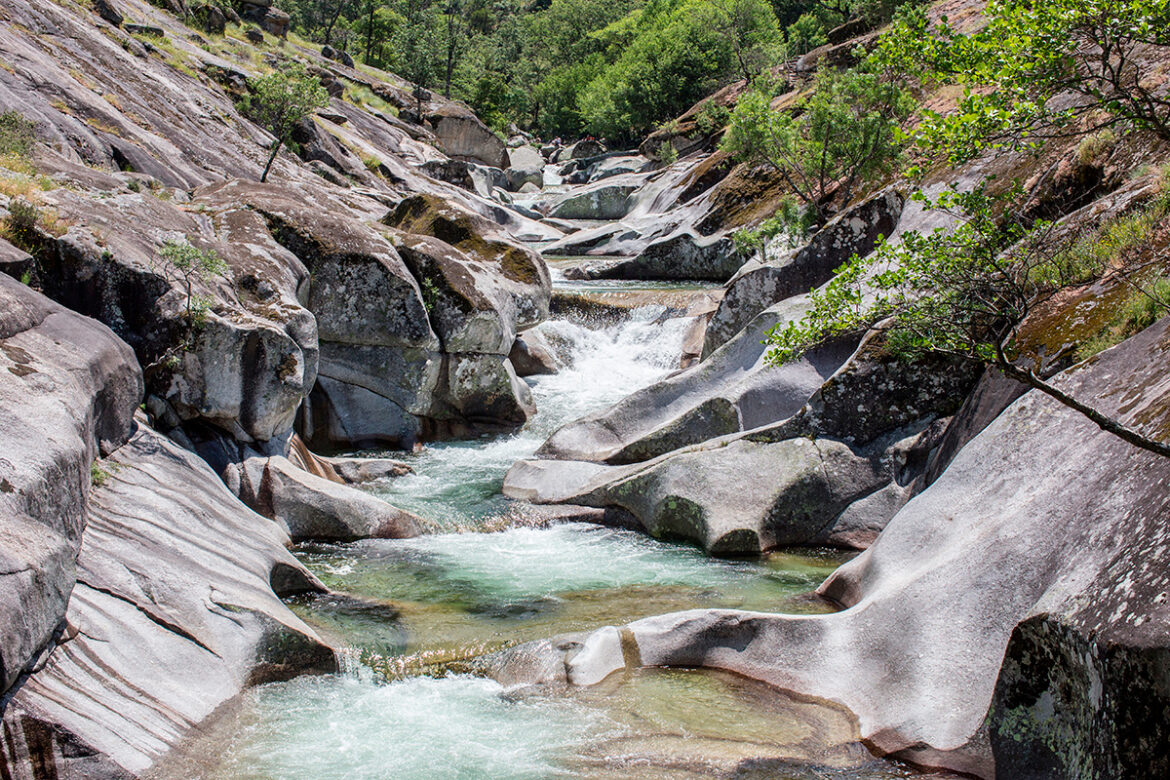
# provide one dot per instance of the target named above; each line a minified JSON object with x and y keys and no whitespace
{"x":175,"y":613}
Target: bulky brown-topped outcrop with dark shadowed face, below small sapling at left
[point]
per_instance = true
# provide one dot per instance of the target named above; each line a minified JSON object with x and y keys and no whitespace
{"x":251,"y":361}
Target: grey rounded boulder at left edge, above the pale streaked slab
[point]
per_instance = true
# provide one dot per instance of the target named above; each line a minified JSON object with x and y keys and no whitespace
{"x":68,"y":391}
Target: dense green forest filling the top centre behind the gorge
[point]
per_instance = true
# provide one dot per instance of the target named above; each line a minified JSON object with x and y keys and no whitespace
{"x":611,"y":68}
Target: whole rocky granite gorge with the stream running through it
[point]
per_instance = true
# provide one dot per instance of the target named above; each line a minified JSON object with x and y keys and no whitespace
{"x":476,"y":445}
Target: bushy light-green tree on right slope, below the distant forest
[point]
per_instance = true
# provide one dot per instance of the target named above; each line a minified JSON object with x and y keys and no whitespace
{"x":844,"y":134}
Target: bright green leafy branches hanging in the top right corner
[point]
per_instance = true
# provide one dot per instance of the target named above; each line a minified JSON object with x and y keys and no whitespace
{"x":1029,"y":54}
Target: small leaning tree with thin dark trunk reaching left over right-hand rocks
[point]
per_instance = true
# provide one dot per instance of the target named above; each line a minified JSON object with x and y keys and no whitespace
{"x":961,"y":293}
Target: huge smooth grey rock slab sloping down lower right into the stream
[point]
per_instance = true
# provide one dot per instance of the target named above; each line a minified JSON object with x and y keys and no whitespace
{"x":1065,"y":576}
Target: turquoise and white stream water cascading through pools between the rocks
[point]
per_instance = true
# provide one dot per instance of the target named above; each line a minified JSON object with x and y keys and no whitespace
{"x":416,"y":609}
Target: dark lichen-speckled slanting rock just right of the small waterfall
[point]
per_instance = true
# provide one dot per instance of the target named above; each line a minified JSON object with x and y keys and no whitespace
{"x":760,"y":285}
